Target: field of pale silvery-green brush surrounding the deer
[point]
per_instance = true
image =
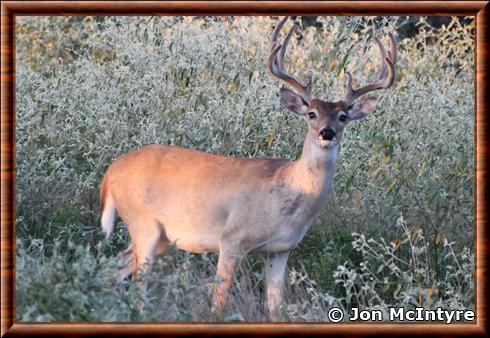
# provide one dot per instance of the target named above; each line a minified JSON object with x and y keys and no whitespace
{"x":396,"y":232}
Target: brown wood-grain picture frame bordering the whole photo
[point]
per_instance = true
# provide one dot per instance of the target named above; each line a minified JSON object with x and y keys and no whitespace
{"x":11,"y":9}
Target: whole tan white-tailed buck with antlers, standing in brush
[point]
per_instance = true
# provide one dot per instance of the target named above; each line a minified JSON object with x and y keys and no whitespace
{"x":236,"y":206}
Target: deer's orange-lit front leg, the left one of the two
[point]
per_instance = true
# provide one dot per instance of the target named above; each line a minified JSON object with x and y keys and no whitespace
{"x":227,"y":264}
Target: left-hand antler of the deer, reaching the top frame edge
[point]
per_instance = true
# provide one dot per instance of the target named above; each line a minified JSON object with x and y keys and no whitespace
{"x":276,"y":60}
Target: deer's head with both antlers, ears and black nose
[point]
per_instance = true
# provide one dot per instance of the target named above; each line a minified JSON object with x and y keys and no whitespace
{"x":326,"y":120}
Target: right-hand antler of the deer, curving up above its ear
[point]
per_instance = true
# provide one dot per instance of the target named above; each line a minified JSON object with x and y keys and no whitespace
{"x":386,"y":74}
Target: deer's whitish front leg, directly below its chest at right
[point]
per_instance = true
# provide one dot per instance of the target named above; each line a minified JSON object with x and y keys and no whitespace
{"x":275,"y":266}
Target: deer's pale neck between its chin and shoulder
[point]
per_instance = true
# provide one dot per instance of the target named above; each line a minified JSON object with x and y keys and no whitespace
{"x":313,"y":172}
